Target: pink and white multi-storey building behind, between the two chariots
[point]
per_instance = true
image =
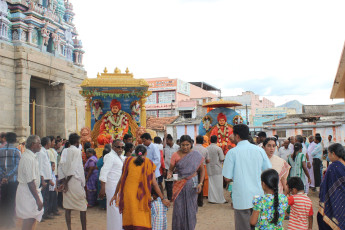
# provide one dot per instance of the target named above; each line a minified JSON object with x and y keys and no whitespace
{"x":174,"y":97}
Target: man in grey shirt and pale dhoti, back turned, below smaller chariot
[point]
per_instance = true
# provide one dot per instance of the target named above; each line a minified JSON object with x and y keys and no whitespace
{"x":214,"y":170}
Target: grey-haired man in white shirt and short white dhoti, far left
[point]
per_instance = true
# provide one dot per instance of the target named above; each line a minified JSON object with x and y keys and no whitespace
{"x":29,"y":202}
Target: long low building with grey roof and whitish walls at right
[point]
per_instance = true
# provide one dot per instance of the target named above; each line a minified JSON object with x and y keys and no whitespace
{"x":324,"y":119}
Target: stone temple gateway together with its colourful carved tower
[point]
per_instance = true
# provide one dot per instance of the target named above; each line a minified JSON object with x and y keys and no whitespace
{"x":41,"y":61}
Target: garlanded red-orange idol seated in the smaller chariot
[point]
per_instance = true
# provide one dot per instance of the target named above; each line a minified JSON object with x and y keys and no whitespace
{"x":223,"y":131}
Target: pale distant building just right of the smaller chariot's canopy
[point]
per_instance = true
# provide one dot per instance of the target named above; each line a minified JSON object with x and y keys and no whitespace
{"x":250,"y":102}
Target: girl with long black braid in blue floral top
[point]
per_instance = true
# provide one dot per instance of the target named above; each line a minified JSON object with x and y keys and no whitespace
{"x":269,"y":209}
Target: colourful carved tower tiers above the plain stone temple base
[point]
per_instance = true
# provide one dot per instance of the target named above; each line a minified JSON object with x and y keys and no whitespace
{"x":44,"y":24}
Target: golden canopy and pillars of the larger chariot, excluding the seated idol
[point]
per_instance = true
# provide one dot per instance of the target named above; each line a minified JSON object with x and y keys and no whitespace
{"x":120,"y":86}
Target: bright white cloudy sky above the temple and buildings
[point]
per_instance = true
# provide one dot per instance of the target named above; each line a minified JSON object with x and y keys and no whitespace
{"x":282,"y":50}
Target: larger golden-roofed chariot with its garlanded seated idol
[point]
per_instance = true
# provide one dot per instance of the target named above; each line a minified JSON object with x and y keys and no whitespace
{"x":115,"y":106}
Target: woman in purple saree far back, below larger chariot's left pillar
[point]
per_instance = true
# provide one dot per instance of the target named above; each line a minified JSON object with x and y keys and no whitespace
{"x":91,"y":177}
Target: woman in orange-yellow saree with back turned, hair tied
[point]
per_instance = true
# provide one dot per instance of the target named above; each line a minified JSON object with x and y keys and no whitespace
{"x":133,"y":192}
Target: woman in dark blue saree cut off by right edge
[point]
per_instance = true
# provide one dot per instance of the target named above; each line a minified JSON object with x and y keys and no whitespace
{"x":332,"y":191}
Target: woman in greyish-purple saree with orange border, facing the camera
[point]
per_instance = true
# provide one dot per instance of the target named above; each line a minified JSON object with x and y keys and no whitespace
{"x":186,"y":163}
